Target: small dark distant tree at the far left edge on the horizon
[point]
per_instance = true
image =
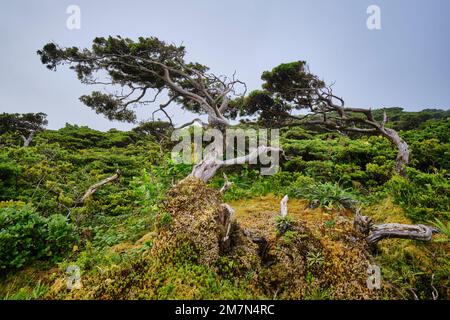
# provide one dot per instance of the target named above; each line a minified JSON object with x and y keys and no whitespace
{"x":26,"y":125}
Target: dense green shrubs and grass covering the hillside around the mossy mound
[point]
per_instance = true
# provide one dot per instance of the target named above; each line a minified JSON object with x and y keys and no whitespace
{"x":43,"y":230}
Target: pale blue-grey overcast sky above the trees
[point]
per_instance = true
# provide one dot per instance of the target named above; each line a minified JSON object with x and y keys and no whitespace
{"x":406,"y":63}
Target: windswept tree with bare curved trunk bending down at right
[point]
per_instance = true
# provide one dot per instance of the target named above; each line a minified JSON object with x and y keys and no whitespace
{"x":291,"y":87}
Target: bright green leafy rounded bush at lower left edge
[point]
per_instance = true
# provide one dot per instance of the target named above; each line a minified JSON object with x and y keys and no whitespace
{"x":26,"y":236}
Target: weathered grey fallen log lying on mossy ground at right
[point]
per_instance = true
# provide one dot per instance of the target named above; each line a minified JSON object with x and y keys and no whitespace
{"x":377,"y":232}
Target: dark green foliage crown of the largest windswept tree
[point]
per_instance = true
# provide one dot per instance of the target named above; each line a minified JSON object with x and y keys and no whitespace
{"x":137,"y":66}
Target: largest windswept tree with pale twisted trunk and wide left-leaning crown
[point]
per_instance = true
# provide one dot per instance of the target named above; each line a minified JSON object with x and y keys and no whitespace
{"x":138,"y":72}
